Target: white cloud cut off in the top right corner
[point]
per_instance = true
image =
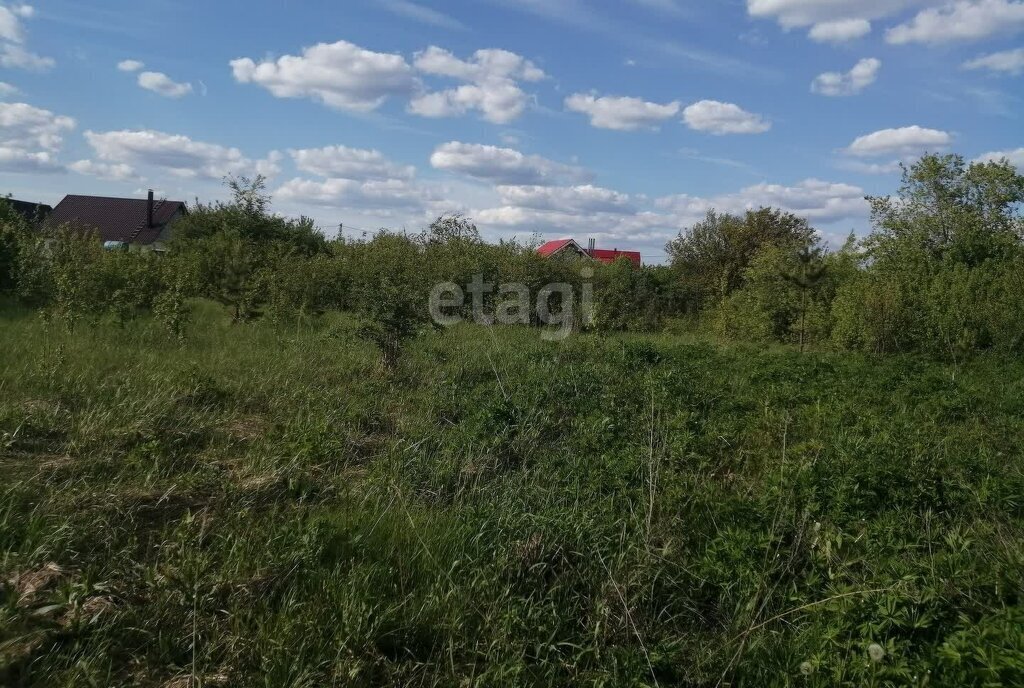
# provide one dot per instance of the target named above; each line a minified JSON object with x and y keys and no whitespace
{"x":961,"y":21}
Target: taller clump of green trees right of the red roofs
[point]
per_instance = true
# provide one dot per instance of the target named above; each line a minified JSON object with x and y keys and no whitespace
{"x":943,"y":271}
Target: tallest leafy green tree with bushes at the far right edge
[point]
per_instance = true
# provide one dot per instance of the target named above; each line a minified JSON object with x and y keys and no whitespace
{"x":943,"y":272}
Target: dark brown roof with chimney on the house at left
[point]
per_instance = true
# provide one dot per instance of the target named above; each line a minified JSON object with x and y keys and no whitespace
{"x":116,"y":220}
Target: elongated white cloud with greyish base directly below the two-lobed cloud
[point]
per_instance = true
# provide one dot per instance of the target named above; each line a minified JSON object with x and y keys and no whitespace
{"x":501,"y":166}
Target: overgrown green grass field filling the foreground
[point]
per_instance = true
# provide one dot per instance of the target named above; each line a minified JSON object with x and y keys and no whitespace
{"x":272,"y":507}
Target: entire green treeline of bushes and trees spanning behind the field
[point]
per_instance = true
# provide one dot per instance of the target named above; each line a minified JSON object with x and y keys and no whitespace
{"x":941,"y":273}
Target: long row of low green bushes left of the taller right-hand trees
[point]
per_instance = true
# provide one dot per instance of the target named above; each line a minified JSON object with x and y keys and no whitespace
{"x":262,"y":266}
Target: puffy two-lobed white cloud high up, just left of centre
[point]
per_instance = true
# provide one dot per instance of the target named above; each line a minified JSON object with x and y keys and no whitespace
{"x":492,"y":87}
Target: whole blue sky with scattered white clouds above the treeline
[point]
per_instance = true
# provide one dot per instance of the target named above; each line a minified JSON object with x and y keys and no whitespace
{"x":625,"y":121}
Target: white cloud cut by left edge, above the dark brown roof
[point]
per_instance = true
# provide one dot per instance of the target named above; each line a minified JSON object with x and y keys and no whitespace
{"x":30,"y":138}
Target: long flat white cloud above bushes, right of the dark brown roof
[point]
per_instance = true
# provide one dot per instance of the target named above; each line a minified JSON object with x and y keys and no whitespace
{"x":177,"y":154}
